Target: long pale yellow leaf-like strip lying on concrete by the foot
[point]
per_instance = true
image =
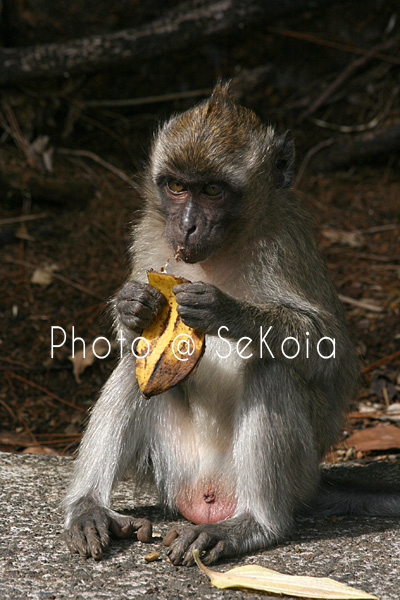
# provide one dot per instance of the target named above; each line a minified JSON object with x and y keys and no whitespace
{"x":302,"y":586}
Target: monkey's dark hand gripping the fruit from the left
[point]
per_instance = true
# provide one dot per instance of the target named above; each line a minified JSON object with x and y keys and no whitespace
{"x":138,"y":304}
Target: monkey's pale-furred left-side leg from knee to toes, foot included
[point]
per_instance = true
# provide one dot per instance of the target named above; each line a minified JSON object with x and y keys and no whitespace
{"x":113,"y":441}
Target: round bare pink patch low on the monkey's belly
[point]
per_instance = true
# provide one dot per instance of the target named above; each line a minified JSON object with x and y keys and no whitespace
{"x":206,"y":503}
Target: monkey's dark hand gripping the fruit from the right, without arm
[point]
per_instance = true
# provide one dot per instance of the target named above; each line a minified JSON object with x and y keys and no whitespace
{"x":203,"y":306}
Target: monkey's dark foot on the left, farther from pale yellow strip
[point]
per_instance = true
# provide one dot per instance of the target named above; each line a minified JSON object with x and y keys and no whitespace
{"x":88,"y":533}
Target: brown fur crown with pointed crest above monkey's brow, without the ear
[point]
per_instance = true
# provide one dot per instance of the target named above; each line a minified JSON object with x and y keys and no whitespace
{"x":213,"y":139}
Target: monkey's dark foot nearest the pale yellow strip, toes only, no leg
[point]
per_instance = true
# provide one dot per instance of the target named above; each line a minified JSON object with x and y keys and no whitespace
{"x":211,"y":539}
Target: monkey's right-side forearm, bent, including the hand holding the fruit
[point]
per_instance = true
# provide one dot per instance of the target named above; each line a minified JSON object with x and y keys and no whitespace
{"x":205,"y":307}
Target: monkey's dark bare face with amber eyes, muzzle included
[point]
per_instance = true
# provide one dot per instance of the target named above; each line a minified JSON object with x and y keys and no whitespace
{"x":198,"y":216}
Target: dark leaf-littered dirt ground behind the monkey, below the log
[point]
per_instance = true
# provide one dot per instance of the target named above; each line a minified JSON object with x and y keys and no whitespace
{"x":85,"y":210}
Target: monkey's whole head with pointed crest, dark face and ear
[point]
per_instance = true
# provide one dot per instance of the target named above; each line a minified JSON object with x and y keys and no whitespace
{"x":213,"y":168}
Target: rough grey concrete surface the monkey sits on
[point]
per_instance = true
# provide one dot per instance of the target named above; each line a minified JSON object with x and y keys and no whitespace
{"x":35,"y":564}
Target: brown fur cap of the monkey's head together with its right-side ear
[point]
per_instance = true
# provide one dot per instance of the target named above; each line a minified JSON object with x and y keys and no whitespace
{"x":221,"y":140}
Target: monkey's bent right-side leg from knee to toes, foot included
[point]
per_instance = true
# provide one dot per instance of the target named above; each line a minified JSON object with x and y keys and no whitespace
{"x":276,"y":462}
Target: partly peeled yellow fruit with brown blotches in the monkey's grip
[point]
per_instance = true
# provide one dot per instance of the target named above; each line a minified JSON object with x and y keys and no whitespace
{"x":170,"y":350}
